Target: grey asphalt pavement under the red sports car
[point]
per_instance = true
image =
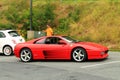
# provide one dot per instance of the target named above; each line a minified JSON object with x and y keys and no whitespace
{"x":11,"y":68}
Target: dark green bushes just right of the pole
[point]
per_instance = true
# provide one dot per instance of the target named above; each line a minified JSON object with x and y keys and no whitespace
{"x":43,"y":15}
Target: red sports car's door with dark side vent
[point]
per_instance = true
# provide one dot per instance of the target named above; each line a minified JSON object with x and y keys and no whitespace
{"x":56,"y":51}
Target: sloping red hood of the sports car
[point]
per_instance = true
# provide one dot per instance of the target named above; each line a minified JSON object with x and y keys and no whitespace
{"x":91,"y":45}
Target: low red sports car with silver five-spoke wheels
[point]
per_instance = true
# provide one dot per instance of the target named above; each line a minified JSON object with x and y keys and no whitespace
{"x":59,"y":47}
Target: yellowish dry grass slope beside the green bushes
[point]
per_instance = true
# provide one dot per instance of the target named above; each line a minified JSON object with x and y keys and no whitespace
{"x":99,"y":20}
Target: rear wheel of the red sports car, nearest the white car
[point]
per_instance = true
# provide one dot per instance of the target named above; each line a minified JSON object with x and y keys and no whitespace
{"x":26,"y":55}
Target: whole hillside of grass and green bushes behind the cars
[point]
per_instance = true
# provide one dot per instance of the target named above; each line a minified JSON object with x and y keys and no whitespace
{"x":90,"y":20}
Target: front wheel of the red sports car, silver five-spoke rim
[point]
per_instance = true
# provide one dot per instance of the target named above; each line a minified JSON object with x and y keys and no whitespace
{"x":79,"y":55}
